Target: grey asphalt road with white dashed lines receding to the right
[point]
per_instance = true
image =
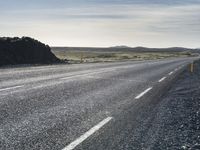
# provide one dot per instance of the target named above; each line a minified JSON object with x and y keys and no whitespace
{"x":82,"y":106}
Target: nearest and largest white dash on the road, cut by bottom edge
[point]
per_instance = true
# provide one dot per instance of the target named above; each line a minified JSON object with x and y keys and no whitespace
{"x":82,"y":138}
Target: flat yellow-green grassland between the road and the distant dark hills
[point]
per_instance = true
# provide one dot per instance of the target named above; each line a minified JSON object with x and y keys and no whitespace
{"x":95,"y":56}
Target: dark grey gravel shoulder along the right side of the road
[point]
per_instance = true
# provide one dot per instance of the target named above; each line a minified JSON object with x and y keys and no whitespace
{"x":176,"y":122}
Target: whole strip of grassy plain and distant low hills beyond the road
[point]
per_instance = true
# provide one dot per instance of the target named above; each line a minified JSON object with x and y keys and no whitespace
{"x":119,"y":53}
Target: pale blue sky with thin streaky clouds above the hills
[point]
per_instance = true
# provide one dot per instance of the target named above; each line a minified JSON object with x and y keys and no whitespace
{"x":103,"y":23}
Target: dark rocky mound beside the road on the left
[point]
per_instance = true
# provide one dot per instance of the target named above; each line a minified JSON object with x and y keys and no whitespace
{"x":25,"y":50}
